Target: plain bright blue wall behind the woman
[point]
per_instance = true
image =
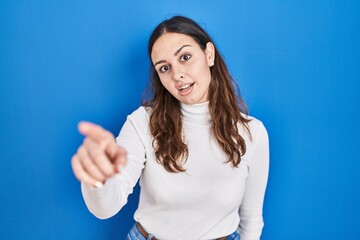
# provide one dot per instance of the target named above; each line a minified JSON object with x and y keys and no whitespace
{"x":298,"y":66}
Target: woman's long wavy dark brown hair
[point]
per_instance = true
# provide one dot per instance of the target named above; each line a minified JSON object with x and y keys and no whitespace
{"x":225,"y":106}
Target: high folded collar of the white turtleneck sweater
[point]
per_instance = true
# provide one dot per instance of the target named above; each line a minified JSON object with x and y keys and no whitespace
{"x":196,"y":113}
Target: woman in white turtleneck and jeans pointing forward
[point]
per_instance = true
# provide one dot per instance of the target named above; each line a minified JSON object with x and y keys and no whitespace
{"x":201,"y":160}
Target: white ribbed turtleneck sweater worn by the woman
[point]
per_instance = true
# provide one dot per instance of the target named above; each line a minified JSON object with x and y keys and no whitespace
{"x":210,"y":200}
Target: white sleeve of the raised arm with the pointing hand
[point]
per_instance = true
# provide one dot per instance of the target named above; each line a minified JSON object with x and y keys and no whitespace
{"x":109,"y":199}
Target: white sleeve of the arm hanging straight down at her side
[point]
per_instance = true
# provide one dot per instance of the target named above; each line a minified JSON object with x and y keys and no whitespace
{"x":251,"y":220}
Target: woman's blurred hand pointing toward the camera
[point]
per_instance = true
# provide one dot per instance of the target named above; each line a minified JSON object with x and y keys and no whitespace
{"x":99,"y":157}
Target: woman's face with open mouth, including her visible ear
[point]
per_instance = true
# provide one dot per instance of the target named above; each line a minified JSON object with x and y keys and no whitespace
{"x":183,"y":67}
